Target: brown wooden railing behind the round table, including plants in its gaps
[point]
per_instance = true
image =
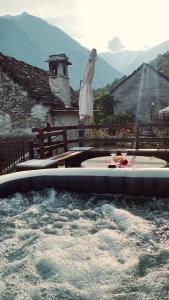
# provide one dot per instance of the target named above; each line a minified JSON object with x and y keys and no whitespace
{"x":129,"y":135}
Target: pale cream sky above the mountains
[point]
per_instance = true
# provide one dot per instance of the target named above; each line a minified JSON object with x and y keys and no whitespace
{"x":113,"y":25}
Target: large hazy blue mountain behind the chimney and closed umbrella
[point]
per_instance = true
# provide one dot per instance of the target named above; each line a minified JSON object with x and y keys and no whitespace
{"x":32,"y":40}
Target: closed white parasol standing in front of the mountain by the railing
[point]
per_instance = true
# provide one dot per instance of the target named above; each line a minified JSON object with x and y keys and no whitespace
{"x":86,"y":94}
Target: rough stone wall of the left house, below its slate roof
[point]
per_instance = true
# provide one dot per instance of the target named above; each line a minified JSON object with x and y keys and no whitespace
{"x":16,"y":105}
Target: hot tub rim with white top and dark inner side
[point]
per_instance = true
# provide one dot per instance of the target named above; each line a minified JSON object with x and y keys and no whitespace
{"x":138,"y":182}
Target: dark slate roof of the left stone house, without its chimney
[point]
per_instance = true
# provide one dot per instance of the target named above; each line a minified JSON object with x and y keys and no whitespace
{"x":34,"y":81}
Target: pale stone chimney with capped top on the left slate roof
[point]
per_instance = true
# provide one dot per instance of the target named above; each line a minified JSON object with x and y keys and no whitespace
{"x":58,"y":77}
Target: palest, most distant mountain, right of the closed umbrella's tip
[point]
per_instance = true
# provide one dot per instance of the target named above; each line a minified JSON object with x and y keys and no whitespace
{"x":128,"y":61}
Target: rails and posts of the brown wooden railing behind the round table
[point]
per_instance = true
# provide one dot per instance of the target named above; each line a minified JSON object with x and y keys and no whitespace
{"x":45,"y":141}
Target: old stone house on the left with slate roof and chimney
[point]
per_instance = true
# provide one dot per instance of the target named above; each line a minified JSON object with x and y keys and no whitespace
{"x":30,"y":96}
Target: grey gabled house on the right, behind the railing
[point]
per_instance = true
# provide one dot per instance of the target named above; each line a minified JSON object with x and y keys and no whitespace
{"x":144,"y":93}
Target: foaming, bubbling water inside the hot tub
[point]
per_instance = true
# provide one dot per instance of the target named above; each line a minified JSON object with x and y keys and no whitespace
{"x":61,"y":245}
